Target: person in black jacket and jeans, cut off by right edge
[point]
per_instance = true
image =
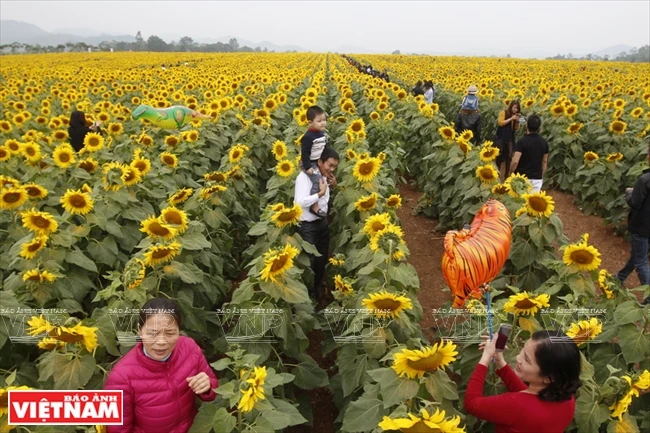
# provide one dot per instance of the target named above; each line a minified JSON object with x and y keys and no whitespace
{"x":638,"y":224}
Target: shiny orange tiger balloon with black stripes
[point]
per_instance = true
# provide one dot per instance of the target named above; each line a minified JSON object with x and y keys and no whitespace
{"x":476,"y":255}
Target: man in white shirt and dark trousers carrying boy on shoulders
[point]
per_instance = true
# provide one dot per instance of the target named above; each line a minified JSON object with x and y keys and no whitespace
{"x":313,"y":229}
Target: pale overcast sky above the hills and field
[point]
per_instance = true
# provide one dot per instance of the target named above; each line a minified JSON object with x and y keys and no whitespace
{"x":487,"y":27}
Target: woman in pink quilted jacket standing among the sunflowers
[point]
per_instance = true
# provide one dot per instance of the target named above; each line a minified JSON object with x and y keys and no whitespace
{"x":161,"y":375}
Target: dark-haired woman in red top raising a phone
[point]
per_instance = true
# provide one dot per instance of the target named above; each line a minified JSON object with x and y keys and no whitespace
{"x":549,"y":364}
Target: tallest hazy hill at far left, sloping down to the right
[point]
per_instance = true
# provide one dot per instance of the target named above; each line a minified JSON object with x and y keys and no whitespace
{"x":17,"y":31}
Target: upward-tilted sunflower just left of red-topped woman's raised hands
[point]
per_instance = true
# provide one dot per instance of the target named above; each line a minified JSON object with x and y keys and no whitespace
{"x":414,"y":363}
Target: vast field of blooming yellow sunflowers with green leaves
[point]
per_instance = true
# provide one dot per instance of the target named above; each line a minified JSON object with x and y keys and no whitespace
{"x":205,"y":215}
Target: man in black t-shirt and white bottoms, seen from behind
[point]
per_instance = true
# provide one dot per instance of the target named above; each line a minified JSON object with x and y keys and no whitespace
{"x":531,"y":154}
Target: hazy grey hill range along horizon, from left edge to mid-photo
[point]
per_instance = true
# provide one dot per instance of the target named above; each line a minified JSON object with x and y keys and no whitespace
{"x":17,"y":31}
